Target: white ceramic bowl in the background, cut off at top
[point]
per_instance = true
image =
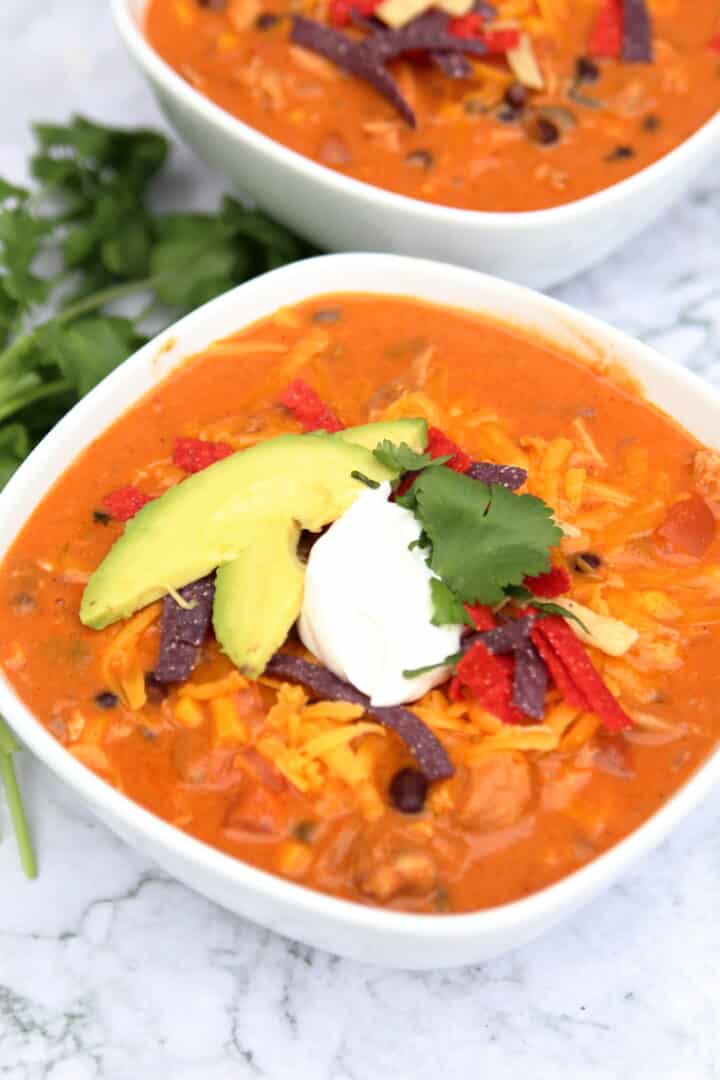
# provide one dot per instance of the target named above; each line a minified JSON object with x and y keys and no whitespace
{"x":538,"y":249}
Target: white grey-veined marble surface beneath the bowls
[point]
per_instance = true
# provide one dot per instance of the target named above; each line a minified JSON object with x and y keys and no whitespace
{"x":108,"y":969}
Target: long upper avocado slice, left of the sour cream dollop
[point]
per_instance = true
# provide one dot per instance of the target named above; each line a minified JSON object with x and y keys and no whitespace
{"x":216,"y":516}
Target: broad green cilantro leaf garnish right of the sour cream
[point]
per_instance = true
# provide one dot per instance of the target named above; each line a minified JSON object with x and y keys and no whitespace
{"x":484,"y":537}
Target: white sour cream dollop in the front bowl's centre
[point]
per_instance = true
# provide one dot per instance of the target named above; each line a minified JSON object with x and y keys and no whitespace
{"x":368,"y":606}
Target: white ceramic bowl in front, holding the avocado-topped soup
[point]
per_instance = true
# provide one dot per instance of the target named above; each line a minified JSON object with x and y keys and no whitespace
{"x":366,"y":934}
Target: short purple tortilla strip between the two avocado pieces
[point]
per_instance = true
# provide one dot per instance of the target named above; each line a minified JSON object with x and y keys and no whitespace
{"x":184,"y":630}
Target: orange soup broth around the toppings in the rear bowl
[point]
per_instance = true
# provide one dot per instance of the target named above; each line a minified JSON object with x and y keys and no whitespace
{"x":461,"y":154}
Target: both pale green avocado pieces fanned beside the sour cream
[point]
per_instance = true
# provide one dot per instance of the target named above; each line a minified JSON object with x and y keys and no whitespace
{"x":249,"y":507}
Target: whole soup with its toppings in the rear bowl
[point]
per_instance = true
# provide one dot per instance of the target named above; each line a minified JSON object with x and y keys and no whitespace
{"x":518,"y":105}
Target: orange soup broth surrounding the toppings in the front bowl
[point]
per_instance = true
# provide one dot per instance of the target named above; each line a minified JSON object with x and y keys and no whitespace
{"x":505,"y":398}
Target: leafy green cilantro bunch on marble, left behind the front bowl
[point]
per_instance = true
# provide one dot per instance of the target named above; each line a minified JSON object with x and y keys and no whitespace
{"x":87,"y":238}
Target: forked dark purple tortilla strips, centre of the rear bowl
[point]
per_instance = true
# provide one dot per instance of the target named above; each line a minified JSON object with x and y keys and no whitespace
{"x":368,"y":58}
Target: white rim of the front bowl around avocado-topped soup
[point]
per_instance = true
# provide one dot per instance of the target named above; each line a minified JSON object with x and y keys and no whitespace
{"x":550,"y":902}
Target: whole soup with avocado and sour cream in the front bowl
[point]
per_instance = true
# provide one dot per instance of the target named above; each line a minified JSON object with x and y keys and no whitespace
{"x":392,"y":601}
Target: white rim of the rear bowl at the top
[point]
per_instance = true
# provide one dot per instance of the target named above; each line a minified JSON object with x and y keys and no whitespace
{"x":566,"y":214}
